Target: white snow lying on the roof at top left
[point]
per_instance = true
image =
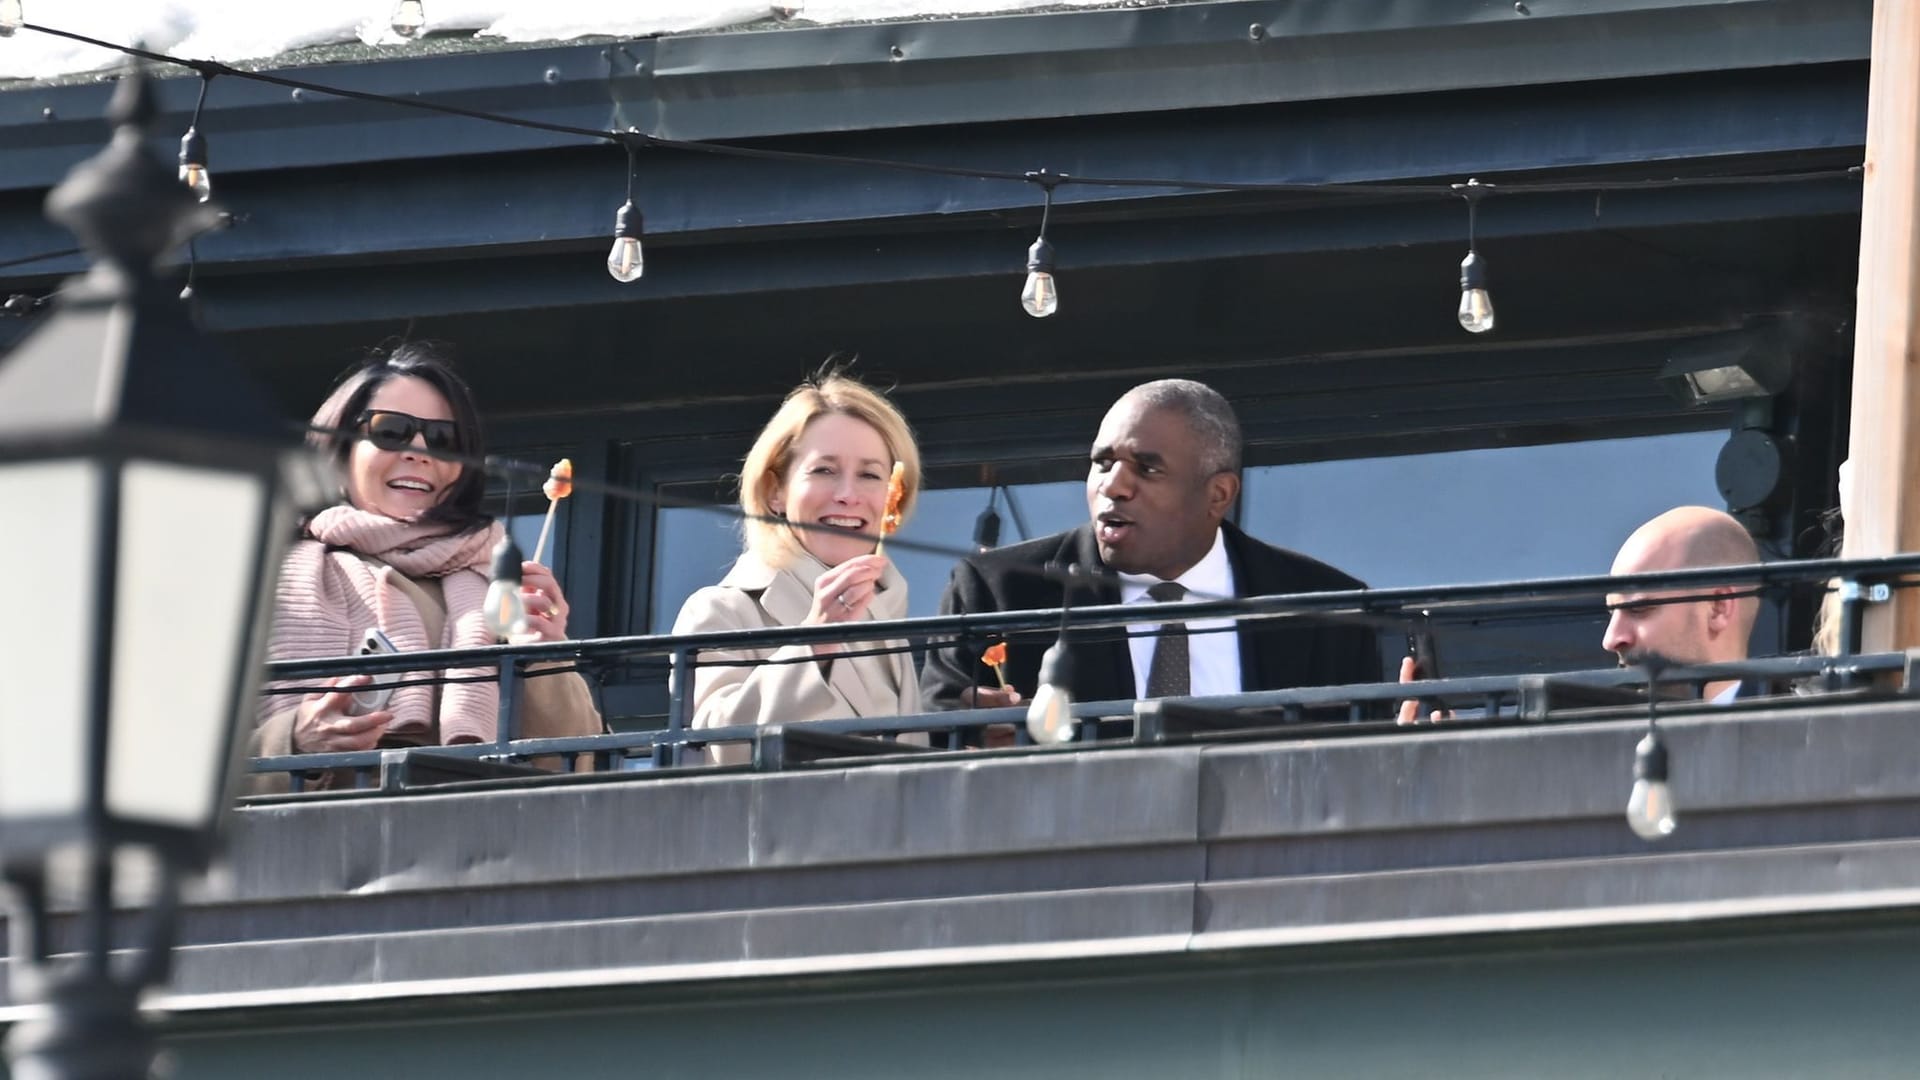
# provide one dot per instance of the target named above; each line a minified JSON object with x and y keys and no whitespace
{"x":239,"y":32}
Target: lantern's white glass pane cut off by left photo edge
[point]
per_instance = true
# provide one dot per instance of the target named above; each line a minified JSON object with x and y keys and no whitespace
{"x":47,"y":639}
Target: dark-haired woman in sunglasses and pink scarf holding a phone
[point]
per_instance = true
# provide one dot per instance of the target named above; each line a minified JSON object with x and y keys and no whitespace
{"x":406,"y":552}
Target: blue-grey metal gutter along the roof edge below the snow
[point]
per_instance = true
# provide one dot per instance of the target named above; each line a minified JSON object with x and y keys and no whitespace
{"x":948,"y":72}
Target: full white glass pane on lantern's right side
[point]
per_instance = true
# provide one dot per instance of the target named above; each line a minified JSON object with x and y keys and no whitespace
{"x":189,"y":577}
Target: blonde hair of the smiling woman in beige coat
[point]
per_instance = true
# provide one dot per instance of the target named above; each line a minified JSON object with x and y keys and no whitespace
{"x":773,"y":454}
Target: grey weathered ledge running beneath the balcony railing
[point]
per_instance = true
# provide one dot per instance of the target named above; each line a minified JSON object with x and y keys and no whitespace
{"x":1057,"y":854}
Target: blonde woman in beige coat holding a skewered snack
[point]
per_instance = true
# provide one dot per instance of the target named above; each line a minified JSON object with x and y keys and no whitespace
{"x":813,"y":487}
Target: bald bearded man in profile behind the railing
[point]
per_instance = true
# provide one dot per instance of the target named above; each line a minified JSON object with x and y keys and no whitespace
{"x":1714,"y":629}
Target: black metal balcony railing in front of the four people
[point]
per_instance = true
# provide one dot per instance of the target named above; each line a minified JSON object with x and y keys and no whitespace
{"x":1280,"y":714}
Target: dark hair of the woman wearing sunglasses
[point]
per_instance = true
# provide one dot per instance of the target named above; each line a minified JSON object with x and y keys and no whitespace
{"x":429,"y":362}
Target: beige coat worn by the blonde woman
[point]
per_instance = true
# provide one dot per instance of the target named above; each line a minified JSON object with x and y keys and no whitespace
{"x":756,"y":595}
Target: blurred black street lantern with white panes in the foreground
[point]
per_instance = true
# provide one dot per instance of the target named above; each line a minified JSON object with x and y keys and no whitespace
{"x":151,"y":504}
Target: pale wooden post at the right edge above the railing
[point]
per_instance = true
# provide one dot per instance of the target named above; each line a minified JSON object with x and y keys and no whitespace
{"x":1884,"y":441}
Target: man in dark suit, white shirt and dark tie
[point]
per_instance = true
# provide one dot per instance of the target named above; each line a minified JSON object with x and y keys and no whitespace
{"x":1164,"y":474}
